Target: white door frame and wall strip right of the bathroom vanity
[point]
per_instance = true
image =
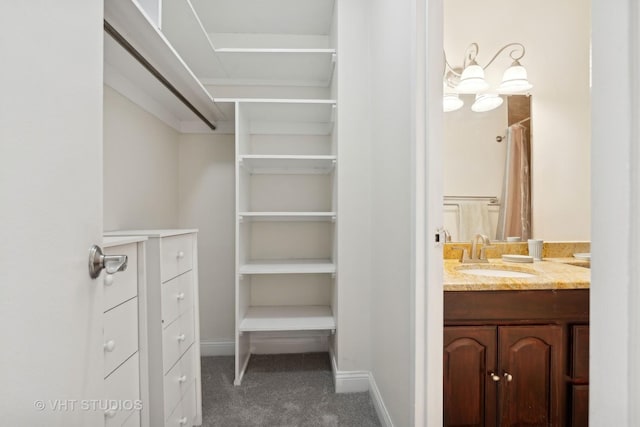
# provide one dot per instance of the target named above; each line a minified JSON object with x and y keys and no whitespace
{"x":614,"y":390}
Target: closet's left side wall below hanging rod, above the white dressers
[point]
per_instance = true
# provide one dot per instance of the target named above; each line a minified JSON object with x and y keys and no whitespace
{"x":140,"y":167}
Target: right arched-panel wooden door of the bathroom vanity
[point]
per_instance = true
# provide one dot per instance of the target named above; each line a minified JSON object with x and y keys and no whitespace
{"x":530,"y":363}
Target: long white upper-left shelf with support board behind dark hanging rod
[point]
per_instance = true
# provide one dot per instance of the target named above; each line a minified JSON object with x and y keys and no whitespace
{"x":127,"y":76}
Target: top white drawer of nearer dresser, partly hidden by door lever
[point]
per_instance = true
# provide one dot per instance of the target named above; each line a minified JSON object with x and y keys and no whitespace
{"x":123,"y":285}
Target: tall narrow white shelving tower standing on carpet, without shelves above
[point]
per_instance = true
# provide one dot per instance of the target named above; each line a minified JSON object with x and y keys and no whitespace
{"x":286,"y":218}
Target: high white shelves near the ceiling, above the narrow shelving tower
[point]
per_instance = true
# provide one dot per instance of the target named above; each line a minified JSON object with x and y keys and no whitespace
{"x":253,"y":42}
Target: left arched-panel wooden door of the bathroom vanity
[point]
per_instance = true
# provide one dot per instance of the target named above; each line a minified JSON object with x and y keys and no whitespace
{"x":469,"y":390}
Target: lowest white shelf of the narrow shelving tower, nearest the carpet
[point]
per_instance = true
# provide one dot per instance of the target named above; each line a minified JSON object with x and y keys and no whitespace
{"x":288,"y":318}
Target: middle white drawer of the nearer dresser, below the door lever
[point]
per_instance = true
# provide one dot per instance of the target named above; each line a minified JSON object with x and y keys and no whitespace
{"x":120,"y":334}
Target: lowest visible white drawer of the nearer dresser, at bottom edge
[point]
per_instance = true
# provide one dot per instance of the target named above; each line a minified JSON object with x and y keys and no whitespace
{"x":123,"y":390}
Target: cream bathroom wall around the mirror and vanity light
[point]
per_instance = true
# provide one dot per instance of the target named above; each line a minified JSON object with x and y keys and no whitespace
{"x":557,"y":38}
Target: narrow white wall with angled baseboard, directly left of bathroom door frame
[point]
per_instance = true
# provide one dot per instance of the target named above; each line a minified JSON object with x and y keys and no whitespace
{"x":391,"y":208}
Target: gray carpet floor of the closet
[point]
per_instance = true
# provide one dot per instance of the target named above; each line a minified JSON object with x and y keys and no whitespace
{"x":283,"y":390}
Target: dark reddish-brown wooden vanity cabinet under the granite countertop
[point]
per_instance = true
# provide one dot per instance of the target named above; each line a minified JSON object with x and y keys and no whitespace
{"x":516,"y":358}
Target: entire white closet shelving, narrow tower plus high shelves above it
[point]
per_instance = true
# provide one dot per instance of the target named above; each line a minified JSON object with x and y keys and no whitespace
{"x":286,"y":153}
